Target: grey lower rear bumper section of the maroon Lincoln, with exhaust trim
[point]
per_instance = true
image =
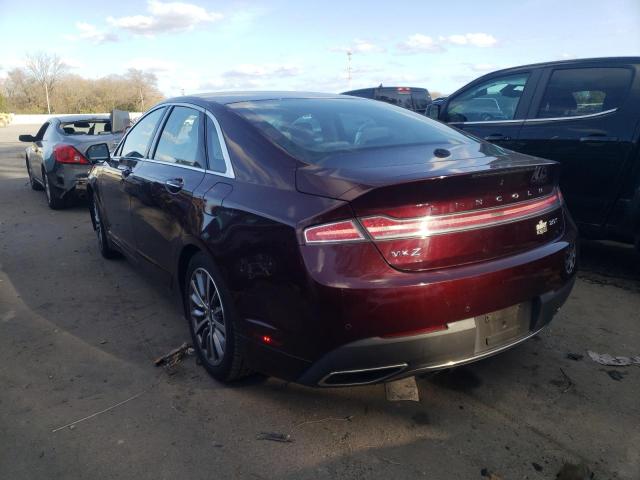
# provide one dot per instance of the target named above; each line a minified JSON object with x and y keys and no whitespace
{"x":378,"y":359}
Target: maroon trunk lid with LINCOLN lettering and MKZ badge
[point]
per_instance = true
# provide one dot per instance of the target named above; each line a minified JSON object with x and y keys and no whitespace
{"x":442,"y":213}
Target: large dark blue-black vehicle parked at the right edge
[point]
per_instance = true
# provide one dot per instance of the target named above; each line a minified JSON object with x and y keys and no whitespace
{"x":584,"y":114}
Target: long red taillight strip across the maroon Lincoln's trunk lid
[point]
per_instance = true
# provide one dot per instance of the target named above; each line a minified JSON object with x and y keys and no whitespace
{"x":385,"y":228}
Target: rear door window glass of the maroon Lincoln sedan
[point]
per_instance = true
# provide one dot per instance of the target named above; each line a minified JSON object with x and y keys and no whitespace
{"x":180,"y":141}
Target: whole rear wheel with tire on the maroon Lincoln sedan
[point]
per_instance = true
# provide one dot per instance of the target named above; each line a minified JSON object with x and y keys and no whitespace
{"x":212,"y":320}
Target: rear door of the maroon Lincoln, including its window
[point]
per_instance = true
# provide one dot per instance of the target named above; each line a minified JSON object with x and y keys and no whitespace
{"x":168,"y":179}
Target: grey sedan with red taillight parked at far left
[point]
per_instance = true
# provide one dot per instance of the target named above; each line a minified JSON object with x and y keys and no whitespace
{"x":56,"y":161}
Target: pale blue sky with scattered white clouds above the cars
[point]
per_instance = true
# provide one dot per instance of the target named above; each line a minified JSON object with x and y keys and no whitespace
{"x":202,"y":45}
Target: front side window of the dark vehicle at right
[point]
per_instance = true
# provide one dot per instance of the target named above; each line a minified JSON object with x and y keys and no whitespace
{"x":494,"y":100}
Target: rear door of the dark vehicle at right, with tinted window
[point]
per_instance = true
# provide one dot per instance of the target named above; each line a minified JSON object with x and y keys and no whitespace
{"x":583,"y":117}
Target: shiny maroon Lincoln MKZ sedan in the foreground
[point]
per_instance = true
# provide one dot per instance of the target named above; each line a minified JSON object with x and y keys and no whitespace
{"x":332,"y":240}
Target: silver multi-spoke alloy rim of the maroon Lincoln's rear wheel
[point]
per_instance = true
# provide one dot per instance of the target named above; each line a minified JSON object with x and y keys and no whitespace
{"x":207,"y":316}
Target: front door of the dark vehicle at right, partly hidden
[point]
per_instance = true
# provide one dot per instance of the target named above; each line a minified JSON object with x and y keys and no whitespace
{"x":493,"y":108}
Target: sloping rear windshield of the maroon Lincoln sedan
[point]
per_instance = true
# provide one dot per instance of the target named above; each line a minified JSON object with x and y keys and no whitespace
{"x":312,"y":129}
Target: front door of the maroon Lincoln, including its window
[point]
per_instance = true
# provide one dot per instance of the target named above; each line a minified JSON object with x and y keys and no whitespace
{"x":119,"y":180}
